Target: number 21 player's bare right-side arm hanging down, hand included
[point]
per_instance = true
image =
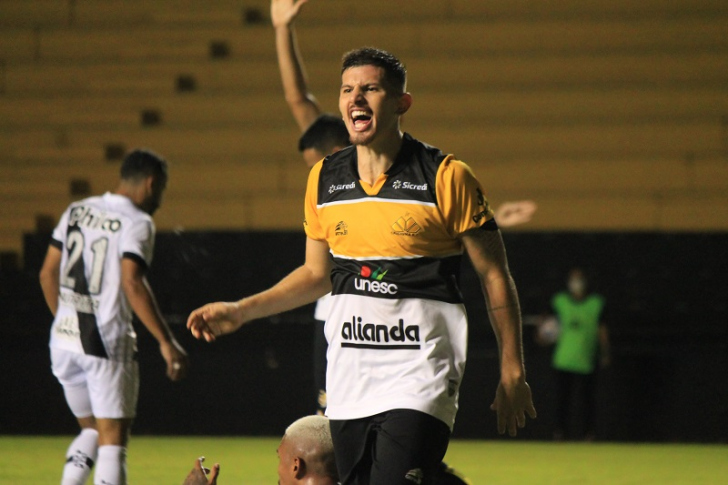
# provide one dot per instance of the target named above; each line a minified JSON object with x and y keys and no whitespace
{"x":142,"y":301}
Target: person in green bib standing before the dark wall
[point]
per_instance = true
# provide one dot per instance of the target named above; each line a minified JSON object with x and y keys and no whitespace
{"x":583,"y":342}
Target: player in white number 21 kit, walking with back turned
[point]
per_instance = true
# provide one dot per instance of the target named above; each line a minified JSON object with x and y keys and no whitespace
{"x":93,"y":277}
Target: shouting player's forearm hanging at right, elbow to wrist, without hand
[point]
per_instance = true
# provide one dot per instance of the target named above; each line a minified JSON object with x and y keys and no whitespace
{"x":505,"y":316}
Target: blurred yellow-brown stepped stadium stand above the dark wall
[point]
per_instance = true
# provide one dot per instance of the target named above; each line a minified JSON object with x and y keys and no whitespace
{"x":612,"y":116}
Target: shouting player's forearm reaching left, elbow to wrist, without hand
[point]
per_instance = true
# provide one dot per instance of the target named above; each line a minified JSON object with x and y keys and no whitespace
{"x":299,"y":288}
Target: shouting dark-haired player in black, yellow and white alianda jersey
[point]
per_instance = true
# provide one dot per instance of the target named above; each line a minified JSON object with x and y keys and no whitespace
{"x":387,"y":221}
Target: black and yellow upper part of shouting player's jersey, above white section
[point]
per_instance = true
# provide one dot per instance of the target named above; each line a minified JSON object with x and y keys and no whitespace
{"x":406,"y":225}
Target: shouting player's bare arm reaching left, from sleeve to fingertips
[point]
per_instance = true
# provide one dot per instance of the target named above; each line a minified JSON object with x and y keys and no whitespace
{"x":304,"y":285}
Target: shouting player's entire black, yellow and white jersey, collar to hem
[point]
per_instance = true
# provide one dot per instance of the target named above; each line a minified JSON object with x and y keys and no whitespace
{"x":396,"y":255}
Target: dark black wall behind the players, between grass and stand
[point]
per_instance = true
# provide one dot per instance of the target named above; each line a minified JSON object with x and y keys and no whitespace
{"x":667,"y":300}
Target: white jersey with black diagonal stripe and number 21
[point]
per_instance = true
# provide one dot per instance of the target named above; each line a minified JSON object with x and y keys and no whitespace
{"x":94,"y":315}
